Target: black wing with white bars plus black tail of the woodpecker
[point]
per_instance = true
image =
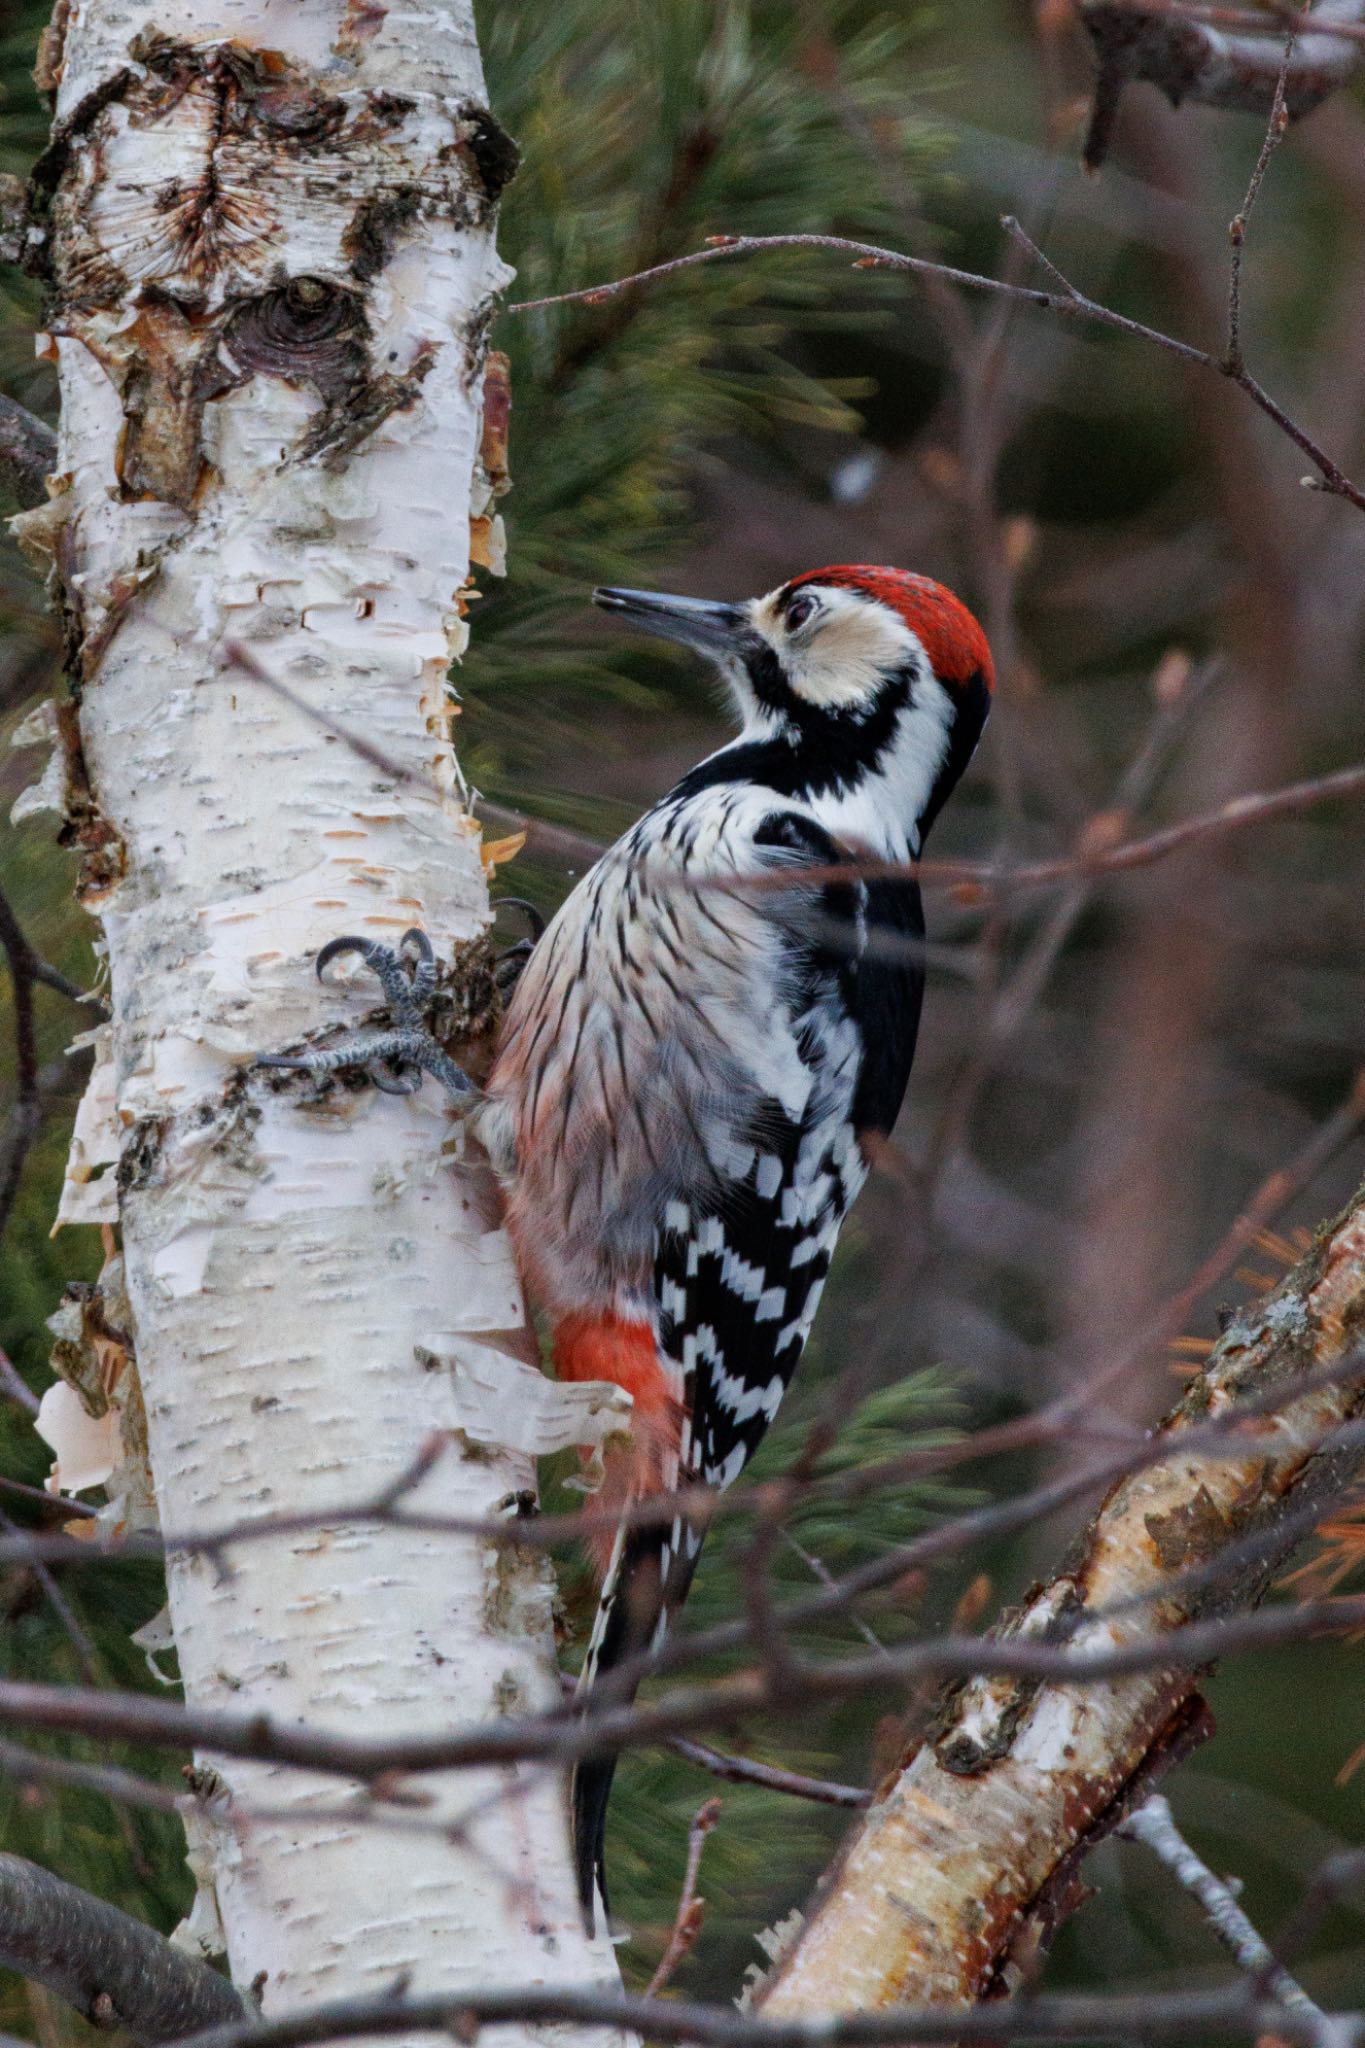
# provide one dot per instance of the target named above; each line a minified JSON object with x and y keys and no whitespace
{"x":740,"y":1275}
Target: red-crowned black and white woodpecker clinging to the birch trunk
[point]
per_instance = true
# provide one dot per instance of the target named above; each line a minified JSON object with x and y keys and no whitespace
{"x":707,"y":1043}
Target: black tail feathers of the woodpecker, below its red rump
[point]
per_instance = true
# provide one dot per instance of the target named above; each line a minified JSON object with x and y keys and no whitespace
{"x":648,"y":1580}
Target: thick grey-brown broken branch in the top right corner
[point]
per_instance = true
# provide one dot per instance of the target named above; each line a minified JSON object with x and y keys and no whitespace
{"x":1192,"y":60}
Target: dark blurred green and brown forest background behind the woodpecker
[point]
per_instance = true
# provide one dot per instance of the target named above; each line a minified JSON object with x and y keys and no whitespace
{"x":1110,"y":1070}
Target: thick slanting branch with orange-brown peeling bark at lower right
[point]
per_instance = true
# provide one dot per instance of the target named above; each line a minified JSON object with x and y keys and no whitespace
{"x":977,"y":1842}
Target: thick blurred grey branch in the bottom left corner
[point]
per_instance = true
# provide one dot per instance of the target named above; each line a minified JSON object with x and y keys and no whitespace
{"x":114,"y":1969}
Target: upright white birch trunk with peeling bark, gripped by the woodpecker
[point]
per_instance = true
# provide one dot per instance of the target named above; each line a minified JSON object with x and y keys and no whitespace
{"x":273,"y":257}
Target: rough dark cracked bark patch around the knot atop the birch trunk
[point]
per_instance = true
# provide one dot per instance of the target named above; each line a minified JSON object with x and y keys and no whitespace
{"x":179,"y":185}
